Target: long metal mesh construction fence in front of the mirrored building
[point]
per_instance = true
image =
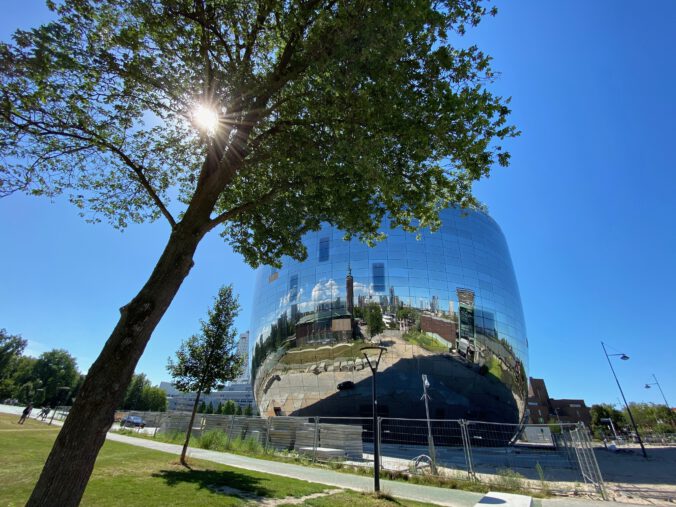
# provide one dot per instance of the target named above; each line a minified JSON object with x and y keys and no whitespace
{"x":535,"y":457}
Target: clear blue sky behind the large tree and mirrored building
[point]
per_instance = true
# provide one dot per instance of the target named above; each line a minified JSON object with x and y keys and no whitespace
{"x":587,"y":207}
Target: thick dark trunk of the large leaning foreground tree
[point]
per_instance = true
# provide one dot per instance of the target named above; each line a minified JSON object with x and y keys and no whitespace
{"x":71,"y":460}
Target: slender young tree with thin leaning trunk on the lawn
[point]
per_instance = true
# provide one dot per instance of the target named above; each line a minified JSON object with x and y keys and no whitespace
{"x":204,"y":361}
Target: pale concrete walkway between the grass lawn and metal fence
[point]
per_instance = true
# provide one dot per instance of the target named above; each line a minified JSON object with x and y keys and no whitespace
{"x":427,"y":494}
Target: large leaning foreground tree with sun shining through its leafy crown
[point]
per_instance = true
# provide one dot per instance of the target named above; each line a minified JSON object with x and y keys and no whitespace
{"x":344,"y":112}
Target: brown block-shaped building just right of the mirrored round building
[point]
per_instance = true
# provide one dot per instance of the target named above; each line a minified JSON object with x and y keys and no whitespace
{"x":543,"y":409}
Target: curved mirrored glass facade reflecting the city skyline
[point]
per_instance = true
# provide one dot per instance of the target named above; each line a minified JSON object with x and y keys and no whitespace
{"x":450,"y":305}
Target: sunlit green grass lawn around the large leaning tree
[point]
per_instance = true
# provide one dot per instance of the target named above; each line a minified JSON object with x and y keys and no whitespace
{"x":129,"y":475}
